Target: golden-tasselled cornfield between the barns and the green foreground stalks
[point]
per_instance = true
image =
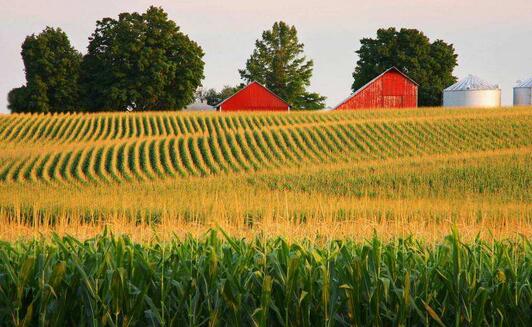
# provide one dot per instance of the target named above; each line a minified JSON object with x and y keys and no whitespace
{"x":418,"y":170}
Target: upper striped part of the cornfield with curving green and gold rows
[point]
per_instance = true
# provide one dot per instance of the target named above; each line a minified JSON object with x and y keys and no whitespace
{"x":116,"y":148}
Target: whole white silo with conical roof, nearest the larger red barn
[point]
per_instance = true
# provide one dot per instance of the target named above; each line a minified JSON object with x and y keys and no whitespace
{"x":472,"y":92}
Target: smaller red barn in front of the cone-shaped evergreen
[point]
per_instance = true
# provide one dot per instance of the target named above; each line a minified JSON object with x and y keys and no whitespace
{"x":254,"y":97}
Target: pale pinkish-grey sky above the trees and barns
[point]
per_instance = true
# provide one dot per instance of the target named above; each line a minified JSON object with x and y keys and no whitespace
{"x":493,"y":38}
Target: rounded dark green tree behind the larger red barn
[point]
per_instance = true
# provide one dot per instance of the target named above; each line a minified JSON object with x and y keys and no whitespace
{"x":431,"y":65}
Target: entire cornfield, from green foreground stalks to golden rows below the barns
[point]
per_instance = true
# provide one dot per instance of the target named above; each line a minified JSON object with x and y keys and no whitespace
{"x":295,"y":219}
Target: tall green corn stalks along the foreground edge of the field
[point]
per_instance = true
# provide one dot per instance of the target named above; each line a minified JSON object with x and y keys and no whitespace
{"x":112,"y":281}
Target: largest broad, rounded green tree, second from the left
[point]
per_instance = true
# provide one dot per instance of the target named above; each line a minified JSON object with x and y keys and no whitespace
{"x":140,"y":62}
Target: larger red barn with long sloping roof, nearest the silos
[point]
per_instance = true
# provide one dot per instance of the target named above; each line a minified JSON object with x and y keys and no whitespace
{"x":391,"y":89}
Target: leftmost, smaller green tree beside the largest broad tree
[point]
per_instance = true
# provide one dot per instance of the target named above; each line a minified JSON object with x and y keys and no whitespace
{"x":52,"y":66}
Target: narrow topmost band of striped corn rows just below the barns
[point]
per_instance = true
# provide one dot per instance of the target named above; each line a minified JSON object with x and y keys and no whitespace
{"x":77,"y":128}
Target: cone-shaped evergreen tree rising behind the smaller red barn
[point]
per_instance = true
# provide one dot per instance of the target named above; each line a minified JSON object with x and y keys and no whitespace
{"x":279,"y":64}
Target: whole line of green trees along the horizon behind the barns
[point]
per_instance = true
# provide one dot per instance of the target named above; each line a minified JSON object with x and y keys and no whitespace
{"x":142,"y":61}
